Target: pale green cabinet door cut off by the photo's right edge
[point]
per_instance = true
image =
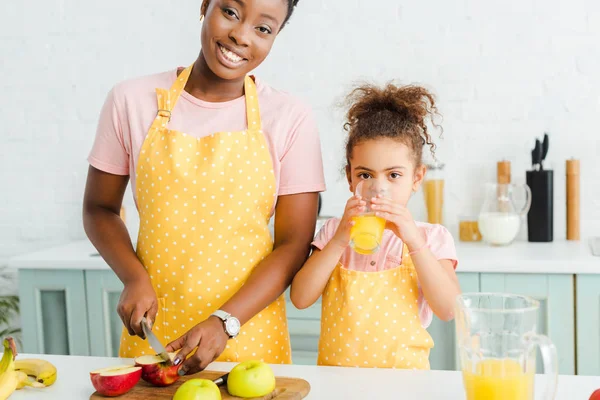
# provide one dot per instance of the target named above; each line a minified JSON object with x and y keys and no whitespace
{"x":588,"y":324}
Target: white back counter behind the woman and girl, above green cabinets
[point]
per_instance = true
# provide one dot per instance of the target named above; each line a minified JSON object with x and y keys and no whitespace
{"x":559,"y":257}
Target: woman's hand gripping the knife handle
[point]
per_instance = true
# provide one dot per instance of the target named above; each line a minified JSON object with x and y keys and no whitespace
{"x":137,"y":300}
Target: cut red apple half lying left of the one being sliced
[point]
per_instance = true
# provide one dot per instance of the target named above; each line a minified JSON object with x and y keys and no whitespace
{"x":115,"y":381}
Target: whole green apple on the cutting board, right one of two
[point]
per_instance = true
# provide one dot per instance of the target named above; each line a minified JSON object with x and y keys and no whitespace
{"x":251,"y":379}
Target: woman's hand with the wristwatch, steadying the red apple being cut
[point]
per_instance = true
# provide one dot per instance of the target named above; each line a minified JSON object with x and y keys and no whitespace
{"x":208,"y":338}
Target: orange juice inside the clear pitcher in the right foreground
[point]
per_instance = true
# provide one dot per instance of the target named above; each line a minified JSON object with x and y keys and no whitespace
{"x":499,"y":379}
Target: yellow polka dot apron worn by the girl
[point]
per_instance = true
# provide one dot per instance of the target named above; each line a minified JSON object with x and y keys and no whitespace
{"x":371,"y":319}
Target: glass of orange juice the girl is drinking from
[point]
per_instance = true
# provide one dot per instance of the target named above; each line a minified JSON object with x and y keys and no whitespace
{"x":367,"y":232}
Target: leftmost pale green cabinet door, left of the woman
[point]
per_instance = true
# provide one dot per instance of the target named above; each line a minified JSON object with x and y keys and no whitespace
{"x":53,"y":312}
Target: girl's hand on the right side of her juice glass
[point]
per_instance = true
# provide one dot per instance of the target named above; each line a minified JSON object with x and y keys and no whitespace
{"x":399,"y":221}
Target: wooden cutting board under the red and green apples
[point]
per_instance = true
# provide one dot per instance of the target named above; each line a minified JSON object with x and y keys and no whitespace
{"x":285,"y":389}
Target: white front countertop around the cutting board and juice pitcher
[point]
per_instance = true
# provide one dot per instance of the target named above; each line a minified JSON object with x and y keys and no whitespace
{"x":326,"y":382}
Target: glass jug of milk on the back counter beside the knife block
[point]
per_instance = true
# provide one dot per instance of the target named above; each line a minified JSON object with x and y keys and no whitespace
{"x":500,"y":215}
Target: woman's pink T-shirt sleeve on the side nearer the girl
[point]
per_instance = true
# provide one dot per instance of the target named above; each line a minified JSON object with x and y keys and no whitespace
{"x":302,"y":163}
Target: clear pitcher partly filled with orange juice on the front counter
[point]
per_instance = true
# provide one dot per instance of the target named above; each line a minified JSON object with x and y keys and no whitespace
{"x":497,"y":336}
